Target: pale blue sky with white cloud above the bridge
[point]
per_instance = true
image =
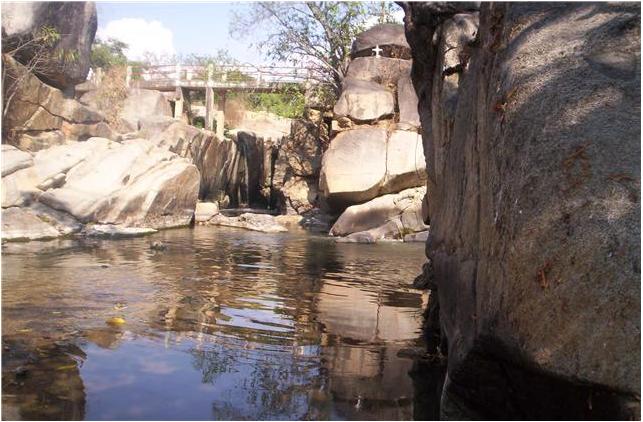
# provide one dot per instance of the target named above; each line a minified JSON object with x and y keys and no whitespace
{"x":182,"y":28}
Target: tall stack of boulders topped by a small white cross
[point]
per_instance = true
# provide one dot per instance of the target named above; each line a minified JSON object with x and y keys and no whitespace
{"x":377,"y":149}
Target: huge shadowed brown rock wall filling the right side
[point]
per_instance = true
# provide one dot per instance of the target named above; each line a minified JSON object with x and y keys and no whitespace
{"x":531,"y":131}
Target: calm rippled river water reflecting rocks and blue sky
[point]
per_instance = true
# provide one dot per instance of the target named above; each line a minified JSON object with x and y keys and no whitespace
{"x":223,"y":324}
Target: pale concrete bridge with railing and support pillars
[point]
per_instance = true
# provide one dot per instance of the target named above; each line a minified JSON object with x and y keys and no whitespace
{"x":219,"y":79}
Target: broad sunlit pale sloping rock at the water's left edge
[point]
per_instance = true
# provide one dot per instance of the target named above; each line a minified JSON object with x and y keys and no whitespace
{"x":57,"y":190}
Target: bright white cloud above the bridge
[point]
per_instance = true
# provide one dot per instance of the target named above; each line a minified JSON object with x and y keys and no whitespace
{"x":140,"y":35}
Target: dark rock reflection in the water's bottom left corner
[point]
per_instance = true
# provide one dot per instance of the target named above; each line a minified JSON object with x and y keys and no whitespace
{"x":42,"y":382}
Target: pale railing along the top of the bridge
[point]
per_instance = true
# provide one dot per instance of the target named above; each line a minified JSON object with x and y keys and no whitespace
{"x":211,"y":75}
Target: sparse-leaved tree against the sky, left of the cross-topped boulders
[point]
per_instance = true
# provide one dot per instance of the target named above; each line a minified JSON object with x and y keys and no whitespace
{"x":317,"y":35}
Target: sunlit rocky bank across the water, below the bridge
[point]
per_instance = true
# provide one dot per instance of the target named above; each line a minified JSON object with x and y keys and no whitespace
{"x":69,"y":169}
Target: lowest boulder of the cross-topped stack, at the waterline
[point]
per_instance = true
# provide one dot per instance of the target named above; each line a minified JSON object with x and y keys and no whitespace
{"x":389,"y":216}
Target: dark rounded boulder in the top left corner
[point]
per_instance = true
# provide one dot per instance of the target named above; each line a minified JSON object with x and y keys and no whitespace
{"x":74,"y":21}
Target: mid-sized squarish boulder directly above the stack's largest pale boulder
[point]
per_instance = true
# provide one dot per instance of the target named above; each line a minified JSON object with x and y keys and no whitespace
{"x":364,"y":100}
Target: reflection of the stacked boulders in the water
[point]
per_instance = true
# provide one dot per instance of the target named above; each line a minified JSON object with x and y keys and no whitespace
{"x":369,"y":382}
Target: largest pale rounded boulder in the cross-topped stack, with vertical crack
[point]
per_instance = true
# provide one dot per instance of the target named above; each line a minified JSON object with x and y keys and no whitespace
{"x":363,"y":163}
